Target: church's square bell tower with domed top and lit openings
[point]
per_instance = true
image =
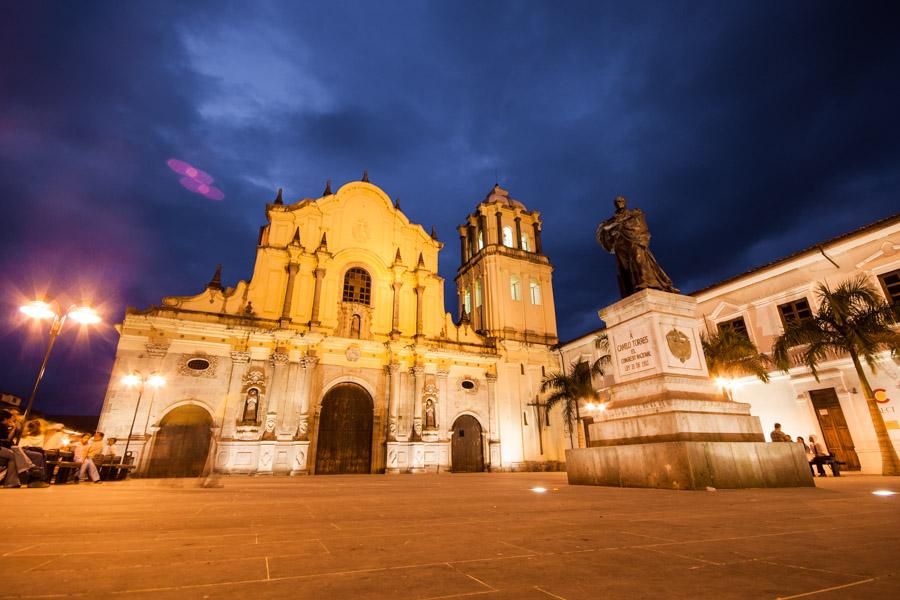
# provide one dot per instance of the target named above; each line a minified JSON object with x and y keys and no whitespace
{"x":504,"y":282}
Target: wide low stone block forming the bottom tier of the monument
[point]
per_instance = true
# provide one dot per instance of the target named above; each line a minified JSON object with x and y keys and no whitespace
{"x":691,"y":465}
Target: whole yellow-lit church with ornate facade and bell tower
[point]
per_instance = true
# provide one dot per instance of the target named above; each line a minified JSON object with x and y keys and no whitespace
{"x":337,"y":355}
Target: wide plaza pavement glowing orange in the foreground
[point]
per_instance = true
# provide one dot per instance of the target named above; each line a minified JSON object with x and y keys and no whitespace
{"x":448,"y":536}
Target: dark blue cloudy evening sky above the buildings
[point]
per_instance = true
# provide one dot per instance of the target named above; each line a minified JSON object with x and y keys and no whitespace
{"x":745,"y":130}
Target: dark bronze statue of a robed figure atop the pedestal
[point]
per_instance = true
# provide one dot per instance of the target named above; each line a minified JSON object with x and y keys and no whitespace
{"x":625,"y":234}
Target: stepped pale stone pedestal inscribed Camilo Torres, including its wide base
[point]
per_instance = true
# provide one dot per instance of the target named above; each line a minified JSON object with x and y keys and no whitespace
{"x":668,"y":425}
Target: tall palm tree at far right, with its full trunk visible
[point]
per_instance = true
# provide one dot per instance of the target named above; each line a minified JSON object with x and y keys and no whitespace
{"x":853,"y":319}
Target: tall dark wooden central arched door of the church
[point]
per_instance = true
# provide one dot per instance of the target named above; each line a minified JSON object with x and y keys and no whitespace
{"x":345,"y":431}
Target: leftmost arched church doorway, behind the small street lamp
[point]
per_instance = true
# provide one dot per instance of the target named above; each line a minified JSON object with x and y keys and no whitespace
{"x":182,"y":443}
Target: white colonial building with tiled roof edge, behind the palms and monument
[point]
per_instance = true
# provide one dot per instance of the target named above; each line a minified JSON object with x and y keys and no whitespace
{"x":760,"y":301}
